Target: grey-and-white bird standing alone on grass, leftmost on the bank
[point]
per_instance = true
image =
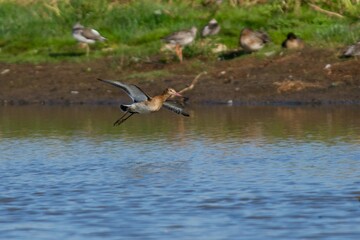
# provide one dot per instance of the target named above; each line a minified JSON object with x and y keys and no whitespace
{"x":86,"y":36}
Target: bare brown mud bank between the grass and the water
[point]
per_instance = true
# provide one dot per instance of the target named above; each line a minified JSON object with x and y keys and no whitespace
{"x":311,"y":76}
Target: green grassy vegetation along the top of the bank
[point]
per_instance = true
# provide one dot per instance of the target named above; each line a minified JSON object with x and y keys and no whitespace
{"x":40,"y":30}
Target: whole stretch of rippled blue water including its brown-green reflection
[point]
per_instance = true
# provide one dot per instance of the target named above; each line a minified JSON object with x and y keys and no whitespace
{"x":224,"y":173}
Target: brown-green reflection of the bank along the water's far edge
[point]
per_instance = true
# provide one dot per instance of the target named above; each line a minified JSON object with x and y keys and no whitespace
{"x":218,"y":123}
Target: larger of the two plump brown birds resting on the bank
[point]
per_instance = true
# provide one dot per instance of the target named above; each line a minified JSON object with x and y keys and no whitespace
{"x":252,"y":41}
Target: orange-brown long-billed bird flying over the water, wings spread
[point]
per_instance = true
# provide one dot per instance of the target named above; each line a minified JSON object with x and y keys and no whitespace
{"x":142,"y":103}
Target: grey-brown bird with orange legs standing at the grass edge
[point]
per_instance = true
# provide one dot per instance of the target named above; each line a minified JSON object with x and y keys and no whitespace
{"x":180,"y":39}
